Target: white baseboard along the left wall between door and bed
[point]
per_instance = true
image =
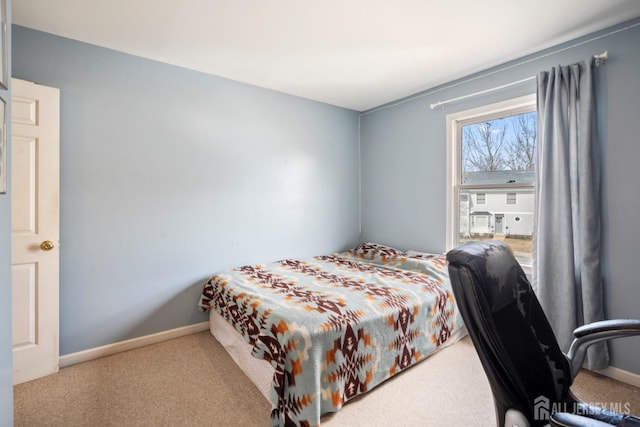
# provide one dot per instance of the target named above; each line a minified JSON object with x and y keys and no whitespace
{"x":109,"y":349}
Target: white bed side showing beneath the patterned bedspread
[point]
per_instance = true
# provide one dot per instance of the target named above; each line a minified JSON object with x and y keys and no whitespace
{"x":260,"y":372}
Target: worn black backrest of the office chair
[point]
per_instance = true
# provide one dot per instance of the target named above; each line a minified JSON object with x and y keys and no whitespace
{"x":526,"y":369}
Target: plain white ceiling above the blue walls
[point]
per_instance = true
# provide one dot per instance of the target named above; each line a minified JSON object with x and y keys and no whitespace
{"x":357,"y":54}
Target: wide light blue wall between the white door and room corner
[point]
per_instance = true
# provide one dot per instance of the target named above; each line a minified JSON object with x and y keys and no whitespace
{"x":168,"y":175}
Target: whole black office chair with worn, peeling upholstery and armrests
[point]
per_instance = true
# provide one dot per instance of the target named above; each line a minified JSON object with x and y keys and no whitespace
{"x":528,"y":373}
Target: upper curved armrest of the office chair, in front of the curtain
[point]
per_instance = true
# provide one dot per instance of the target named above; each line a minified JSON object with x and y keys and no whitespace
{"x":595,"y":332}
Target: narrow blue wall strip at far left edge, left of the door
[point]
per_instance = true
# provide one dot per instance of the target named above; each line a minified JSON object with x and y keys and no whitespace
{"x":6,"y":367}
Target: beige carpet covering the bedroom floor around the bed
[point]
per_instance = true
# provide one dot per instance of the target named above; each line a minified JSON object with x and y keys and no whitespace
{"x":192,"y":381}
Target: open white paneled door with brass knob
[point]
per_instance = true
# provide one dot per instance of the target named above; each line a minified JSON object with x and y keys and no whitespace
{"x":35,"y":164}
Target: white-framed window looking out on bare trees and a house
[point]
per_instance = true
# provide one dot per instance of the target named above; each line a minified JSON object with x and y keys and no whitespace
{"x":491,"y":175}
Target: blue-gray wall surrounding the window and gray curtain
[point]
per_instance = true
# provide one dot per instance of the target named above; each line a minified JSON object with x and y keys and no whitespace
{"x":404,"y":163}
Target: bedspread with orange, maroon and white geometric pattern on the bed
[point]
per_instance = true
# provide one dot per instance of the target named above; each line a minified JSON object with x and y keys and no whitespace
{"x":335,"y":326}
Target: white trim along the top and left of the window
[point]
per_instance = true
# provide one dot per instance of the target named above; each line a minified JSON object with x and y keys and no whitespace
{"x":454,"y":122}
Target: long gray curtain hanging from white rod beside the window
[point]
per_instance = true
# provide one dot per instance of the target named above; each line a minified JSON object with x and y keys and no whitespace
{"x":566,"y":267}
